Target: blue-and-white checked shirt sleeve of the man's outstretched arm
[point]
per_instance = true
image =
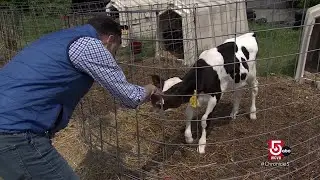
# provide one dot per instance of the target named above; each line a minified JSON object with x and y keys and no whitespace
{"x":90,"y":56}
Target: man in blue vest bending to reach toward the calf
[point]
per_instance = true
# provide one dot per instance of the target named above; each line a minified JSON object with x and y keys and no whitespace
{"x":41,"y":86}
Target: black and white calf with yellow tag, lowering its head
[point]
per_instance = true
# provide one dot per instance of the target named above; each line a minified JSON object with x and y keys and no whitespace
{"x":216,"y":73}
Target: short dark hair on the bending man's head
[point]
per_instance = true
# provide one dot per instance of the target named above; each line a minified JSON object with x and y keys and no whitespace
{"x":105,"y":25}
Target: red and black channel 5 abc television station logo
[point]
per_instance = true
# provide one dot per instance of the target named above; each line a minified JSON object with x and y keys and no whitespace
{"x":277,"y":150}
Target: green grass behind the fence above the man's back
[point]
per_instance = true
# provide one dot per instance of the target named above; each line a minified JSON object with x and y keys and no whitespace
{"x":34,"y":19}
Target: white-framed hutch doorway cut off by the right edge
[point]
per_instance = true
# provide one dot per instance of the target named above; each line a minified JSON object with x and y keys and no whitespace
{"x":309,"y":59}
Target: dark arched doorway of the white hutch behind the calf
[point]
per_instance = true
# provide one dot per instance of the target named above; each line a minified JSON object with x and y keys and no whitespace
{"x":171,"y":33}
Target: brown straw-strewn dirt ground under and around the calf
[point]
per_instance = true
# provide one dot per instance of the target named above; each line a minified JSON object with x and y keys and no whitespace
{"x":152,"y":146}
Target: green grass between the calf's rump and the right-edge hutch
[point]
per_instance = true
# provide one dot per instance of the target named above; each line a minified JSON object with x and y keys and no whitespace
{"x":278,"y":48}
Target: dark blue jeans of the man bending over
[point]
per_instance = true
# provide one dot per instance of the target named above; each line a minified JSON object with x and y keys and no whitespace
{"x":31,"y":156}
